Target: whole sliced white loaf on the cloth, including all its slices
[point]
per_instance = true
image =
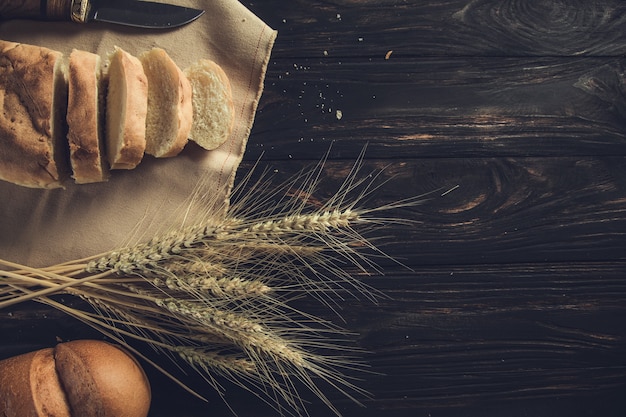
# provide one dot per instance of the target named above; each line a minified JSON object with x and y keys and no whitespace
{"x":38,"y":104}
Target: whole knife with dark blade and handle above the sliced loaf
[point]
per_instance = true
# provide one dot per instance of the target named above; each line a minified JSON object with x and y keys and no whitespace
{"x":144,"y":14}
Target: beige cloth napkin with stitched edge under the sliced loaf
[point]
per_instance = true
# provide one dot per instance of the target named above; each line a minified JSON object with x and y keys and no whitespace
{"x":45,"y":227}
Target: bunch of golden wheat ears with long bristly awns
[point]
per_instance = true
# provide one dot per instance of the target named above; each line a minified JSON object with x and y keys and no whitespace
{"x":216,"y":292}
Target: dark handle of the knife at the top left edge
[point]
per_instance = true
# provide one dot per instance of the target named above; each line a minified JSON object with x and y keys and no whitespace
{"x":38,"y":9}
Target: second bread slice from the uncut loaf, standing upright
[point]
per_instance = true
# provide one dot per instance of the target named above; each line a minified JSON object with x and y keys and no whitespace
{"x":127,"y":106}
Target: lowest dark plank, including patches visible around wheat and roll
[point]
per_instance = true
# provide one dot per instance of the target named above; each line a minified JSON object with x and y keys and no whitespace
{"x":455,"y":340}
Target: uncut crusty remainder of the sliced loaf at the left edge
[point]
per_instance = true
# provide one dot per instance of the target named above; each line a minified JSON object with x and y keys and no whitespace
{"x":33,"y":94}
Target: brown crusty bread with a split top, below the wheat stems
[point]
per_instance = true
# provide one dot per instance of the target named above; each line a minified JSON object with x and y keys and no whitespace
{"x":75,"y":379}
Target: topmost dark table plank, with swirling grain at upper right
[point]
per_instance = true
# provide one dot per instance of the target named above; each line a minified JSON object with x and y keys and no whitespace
{"x":368,"y":28}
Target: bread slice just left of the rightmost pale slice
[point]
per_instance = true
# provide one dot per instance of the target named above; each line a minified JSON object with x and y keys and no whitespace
{"x":170,"y":111}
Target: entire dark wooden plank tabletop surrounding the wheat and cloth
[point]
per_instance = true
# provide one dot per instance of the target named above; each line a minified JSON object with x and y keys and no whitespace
{"x":513,"y":298}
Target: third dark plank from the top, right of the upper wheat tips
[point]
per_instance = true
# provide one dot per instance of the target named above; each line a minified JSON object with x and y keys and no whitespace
{"x":505,"y":209}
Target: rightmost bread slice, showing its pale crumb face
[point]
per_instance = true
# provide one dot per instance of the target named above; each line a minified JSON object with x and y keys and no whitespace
{"x":213,"y":109}
